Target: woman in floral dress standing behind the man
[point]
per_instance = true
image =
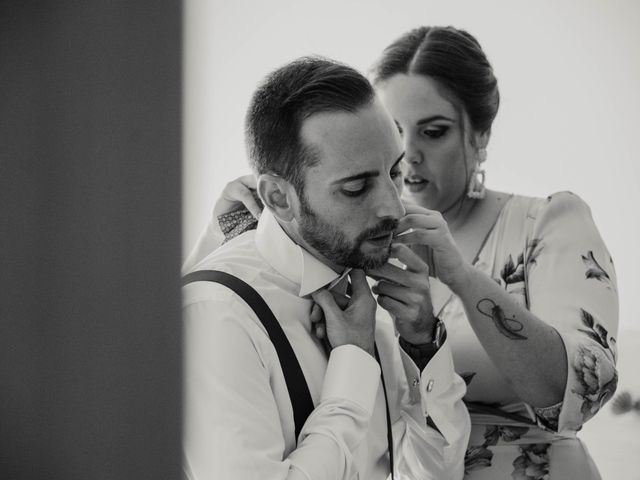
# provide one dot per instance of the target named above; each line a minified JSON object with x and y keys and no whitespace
{"x":525,"y":286}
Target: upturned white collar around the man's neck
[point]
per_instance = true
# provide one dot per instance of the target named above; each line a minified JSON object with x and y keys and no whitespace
{"x":290,"y":259}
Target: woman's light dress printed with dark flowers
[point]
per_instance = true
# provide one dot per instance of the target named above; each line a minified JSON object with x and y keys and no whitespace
{"x":549,"y":254}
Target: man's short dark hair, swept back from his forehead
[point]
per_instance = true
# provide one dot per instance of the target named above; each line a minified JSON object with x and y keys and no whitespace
{"x":288,"y":96}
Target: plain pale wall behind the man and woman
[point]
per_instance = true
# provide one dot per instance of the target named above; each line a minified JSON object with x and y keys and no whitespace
{"x":569,"y":75}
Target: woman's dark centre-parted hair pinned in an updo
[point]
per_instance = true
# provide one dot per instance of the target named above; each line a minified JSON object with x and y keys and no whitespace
{"x":455,"y":60}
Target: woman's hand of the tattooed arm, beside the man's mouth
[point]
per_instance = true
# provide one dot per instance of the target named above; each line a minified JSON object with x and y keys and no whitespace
{"x":430,"y":238}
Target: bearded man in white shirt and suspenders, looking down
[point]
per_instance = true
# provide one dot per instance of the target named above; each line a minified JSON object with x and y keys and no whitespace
{"x":326,"y":154}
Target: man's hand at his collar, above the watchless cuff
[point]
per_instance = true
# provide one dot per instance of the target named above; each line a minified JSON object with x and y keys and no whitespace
{"x":353,"y":324}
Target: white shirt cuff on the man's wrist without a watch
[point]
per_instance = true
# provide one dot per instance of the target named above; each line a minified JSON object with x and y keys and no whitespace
{"x":352,"y":374}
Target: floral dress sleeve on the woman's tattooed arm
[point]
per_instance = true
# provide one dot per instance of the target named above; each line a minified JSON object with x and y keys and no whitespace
{"x":571,"y":285}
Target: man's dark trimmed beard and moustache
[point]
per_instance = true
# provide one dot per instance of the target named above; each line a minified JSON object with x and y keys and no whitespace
{"x":332,"y":243}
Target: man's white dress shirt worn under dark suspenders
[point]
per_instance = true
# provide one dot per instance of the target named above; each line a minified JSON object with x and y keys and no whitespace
{"x":238,"y":419}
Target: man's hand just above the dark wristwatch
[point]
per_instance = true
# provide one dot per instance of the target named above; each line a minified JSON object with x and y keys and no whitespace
{"x":405,"y":294}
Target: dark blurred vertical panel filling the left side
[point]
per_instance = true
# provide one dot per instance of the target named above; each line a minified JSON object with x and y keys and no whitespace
{"x":90,"y":343}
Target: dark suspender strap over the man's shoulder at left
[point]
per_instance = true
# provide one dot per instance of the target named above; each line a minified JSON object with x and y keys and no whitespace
{"x":293,"y":376}
